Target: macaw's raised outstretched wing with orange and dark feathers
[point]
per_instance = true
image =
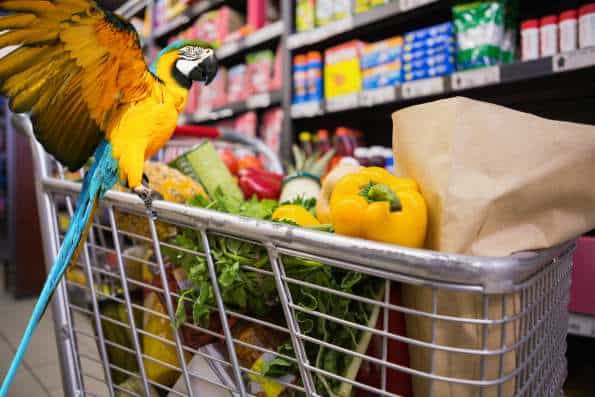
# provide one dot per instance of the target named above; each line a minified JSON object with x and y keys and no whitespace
{"x":76,"y":68}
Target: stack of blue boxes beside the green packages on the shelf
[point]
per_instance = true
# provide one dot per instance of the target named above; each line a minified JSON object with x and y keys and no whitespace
{"x":429,"y":52}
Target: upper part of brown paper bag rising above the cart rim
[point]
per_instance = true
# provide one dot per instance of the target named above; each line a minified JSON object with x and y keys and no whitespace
{"x":496,"y":180}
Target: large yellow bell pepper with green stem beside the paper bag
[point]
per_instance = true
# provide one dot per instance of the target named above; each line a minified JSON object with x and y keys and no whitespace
{"x":379,"y":206}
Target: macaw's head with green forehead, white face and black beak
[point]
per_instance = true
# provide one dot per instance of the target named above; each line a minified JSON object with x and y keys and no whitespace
{"x":196,"y":61}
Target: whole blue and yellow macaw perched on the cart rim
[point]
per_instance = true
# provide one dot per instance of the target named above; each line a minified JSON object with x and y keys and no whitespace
{"x":79,"y":72}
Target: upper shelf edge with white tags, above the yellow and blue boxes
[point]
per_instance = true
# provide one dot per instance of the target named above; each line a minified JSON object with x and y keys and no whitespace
{"x":354,"y":23}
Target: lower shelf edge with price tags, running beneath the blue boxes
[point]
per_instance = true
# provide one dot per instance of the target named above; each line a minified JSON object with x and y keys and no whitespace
{"x":458,"y":81}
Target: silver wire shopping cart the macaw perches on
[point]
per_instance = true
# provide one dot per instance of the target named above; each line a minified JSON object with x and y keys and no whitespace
{"x":420,"y":322}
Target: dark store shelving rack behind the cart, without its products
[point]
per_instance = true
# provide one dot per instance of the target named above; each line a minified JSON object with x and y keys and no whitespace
{"x":509,"y":85}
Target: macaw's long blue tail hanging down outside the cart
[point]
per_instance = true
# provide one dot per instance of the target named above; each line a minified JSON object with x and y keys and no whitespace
{"x":102,"y":175}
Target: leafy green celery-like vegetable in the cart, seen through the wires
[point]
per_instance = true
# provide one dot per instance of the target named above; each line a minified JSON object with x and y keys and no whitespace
{"x":255,"y":294}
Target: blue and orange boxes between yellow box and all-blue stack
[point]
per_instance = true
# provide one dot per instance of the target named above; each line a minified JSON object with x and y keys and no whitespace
{"x":381,"y":63}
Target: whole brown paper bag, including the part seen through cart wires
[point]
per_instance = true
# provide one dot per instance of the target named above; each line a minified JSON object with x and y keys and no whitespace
{"x":497,"y":181}
